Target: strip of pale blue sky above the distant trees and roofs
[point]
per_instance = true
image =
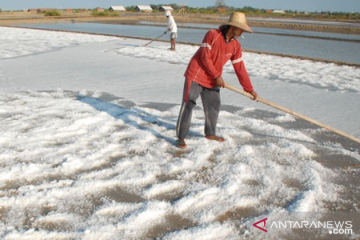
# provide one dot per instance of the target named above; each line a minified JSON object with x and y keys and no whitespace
{"x":304,"y":5}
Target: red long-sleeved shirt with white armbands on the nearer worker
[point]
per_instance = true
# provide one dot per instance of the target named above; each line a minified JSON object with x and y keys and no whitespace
{"x":208,"y":62}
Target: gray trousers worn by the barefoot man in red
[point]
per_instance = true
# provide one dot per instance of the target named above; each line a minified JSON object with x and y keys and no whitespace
{"x":211,"y":104}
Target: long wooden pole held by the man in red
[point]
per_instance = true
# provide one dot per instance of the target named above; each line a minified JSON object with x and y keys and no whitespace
{"x":271,"y":104}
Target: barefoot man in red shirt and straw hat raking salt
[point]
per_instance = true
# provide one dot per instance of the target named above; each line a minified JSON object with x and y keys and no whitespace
{"x":203,"y":76}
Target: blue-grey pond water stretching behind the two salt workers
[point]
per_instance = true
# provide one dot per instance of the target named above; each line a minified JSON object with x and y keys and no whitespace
{"x":292,"y":45}
